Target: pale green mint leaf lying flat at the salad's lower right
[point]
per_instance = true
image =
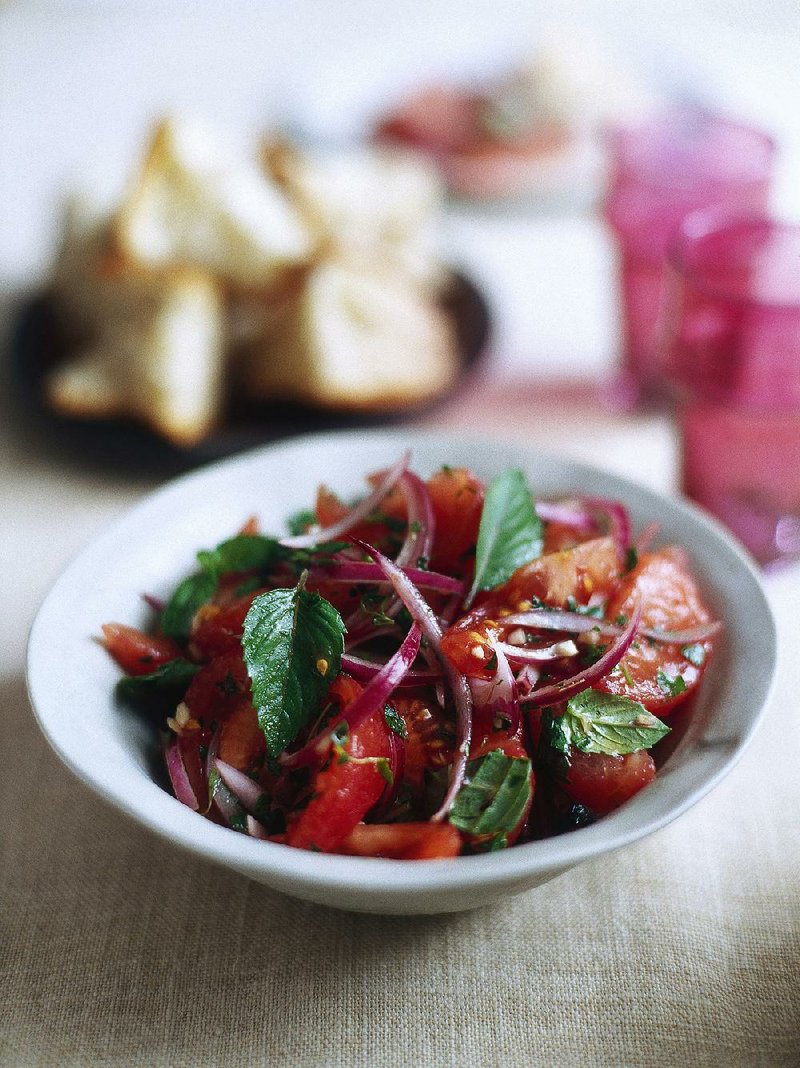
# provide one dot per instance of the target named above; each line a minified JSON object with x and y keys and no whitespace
{"x":597,"y":723}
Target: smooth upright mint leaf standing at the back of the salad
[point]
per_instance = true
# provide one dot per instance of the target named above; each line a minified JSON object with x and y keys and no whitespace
{"x":510,"y":533}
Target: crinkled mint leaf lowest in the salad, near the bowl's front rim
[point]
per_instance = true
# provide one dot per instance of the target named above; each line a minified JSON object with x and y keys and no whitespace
{"x":494,"y":799}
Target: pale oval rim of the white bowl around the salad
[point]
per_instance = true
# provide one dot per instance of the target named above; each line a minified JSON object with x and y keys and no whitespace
{"x":286,"y":868}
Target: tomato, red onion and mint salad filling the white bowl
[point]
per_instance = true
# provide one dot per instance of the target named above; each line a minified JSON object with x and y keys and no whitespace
{"x":444,"y":668}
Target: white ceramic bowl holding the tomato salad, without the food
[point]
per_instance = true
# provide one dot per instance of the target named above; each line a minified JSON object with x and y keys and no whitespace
{"x":71,"y":679}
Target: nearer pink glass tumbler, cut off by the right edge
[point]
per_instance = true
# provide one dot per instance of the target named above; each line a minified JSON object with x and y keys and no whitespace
{"x":734,"y":362}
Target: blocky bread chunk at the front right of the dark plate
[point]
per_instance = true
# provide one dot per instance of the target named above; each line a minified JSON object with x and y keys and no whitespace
{"x":356,"y":339}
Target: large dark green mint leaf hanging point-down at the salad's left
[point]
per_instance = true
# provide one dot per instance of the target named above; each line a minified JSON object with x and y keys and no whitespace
{"x":293,"y":643}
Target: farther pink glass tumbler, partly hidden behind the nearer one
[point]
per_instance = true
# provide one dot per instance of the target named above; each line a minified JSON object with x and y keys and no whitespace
{"x":661,"y":172}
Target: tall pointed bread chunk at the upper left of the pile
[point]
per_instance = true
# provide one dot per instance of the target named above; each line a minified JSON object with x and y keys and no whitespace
{"x":192,"y":207}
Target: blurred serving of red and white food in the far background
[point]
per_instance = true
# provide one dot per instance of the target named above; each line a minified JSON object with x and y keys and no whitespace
{"x":534,"y":133}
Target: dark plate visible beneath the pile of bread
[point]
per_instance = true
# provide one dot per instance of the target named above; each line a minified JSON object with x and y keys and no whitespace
{"x":37,"y":344}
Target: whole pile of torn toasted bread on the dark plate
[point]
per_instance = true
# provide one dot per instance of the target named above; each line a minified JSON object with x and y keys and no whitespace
{"x":219,"y":279}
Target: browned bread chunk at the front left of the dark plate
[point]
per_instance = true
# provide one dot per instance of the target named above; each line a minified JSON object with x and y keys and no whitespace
{"x":159,"y":358}
